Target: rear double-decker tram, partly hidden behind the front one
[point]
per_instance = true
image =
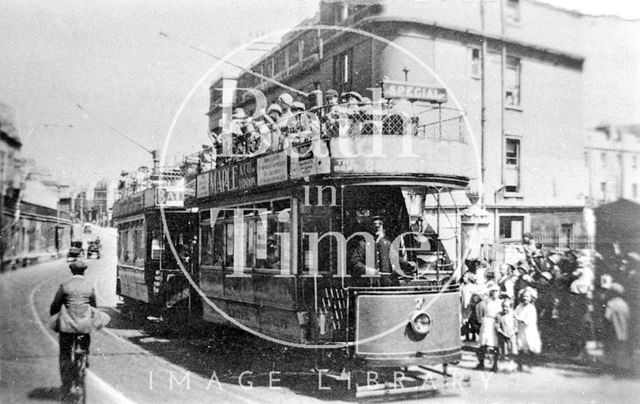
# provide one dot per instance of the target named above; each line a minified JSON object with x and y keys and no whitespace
{"x":148,"y":277}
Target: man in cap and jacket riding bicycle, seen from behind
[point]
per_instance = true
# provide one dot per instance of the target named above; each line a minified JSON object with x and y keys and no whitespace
{"x":77,"y":296}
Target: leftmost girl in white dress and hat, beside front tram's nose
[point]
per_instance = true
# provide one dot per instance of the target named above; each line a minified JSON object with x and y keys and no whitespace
{"x":487,"y":311}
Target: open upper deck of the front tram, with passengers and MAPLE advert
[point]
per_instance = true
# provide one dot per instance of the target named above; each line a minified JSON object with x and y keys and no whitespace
{"x":385,"y":141}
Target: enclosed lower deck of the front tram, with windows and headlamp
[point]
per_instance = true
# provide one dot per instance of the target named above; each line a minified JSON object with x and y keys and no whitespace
{"x":365,"y":275}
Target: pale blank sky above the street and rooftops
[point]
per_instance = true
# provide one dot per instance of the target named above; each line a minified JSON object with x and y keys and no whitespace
{"x":109,"y":57}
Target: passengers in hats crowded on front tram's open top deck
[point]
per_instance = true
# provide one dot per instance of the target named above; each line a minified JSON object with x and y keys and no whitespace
{"x":287,"y":122}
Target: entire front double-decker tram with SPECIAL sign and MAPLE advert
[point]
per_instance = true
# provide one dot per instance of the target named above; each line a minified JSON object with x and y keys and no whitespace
{"x":340,"y":240}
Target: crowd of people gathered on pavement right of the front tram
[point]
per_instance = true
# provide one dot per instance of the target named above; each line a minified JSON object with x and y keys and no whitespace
{"x":552,"y":302}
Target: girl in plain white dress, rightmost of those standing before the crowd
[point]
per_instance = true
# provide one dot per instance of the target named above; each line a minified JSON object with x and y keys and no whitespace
{"x":529,"y":342}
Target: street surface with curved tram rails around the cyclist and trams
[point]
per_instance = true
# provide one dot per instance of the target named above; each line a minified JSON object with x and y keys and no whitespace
{"x":144,"y":362}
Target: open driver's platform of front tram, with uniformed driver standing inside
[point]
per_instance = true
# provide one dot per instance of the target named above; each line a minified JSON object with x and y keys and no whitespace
{"x":407,"y":232}
